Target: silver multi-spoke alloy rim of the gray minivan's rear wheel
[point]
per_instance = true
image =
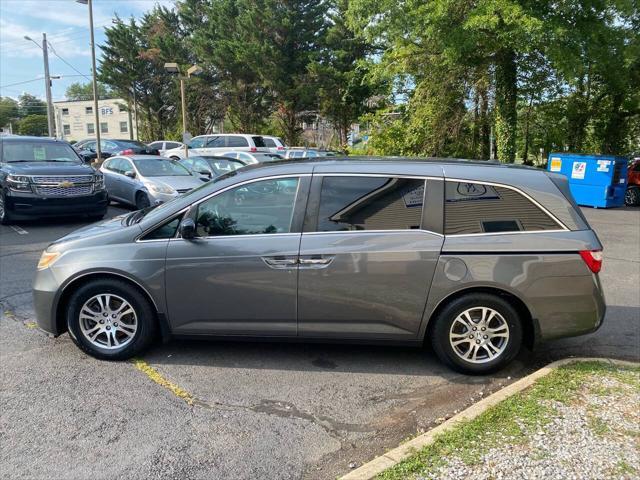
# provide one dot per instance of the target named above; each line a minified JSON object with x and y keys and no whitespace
{"x":479,"y":335}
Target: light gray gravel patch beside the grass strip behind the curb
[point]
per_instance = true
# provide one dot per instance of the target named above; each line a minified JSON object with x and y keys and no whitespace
{"x":596,"y":436}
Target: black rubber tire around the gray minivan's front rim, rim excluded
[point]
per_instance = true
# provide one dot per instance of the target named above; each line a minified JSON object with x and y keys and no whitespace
{"x":147,"y":326}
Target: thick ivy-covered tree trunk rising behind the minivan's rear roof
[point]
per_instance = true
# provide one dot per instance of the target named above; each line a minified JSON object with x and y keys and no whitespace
{"x":506,"y":113}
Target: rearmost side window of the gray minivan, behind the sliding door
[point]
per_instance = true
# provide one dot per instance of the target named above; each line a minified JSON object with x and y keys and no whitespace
{"x":480,"y":208}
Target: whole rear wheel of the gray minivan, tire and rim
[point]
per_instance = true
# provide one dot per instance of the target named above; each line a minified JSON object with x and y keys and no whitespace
{"x":477,"y":333}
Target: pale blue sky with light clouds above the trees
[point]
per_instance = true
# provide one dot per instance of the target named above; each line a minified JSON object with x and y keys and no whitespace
{"x":66,"y":24}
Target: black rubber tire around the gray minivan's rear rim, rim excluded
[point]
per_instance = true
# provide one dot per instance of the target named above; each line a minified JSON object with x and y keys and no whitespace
{"x":442,"y":329}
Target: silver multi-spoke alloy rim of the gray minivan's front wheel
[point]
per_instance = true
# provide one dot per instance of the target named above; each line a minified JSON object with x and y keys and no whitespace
{"x":108,"y":321}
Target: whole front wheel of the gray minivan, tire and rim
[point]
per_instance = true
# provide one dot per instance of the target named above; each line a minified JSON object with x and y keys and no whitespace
{"x":109,"y":320}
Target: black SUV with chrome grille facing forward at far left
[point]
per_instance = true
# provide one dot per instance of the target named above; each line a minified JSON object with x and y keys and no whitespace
{"x":46,"y":177}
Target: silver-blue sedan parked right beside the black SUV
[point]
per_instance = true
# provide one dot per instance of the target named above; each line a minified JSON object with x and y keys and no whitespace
{"x":144,"y":180}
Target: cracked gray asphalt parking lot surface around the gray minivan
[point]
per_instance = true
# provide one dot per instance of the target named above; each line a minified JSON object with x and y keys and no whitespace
{"x":260,"y":410}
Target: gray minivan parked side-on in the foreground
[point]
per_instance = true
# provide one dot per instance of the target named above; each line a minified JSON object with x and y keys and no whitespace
{"x":475,"y":258}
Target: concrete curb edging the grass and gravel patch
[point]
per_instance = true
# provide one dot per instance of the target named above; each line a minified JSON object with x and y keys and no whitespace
{"x":379,"y":464}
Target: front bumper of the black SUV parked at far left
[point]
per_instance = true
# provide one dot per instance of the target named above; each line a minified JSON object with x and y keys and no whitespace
{"x":27,"y":205}
